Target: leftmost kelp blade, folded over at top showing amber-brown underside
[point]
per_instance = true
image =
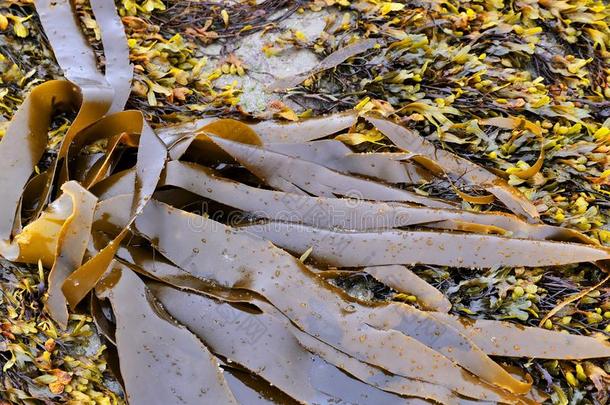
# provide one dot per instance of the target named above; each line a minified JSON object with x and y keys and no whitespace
{"x":23,"y":145}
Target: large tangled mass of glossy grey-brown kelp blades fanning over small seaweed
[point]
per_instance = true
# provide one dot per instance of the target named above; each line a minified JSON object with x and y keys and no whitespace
{"x":207,"y":253}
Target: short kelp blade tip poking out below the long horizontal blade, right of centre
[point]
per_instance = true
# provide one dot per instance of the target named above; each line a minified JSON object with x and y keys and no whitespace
{"x":404,"y":280}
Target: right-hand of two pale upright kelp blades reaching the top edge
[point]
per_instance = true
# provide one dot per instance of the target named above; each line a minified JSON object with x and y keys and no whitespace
{"x":117,"y":69}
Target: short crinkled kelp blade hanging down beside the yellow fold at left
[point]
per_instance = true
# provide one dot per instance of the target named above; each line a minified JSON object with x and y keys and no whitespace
{"x":71,"y":247}
